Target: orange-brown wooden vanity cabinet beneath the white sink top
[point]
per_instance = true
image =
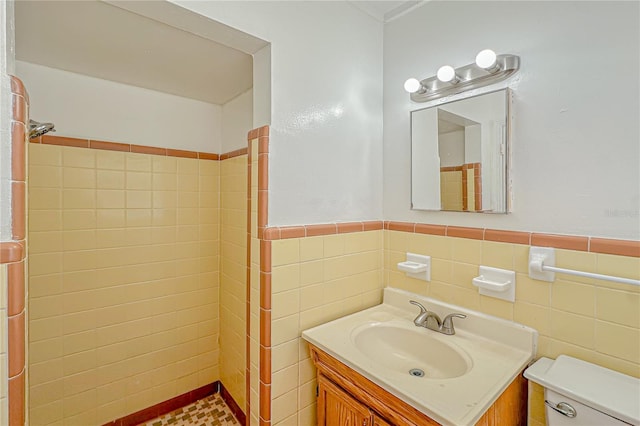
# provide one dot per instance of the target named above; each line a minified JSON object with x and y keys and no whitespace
{"x":347,"y":398}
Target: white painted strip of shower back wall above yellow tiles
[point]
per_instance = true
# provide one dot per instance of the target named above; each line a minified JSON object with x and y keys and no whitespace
{"x":92,"y":108}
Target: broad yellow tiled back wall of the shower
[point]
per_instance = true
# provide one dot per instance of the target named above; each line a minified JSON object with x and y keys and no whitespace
{"x":123,"y":281}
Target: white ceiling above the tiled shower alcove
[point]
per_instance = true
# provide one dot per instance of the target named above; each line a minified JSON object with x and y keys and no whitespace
{"x":100,"y":40}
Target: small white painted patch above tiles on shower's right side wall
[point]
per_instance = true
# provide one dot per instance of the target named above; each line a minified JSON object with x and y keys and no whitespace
{"x":237,"y":120}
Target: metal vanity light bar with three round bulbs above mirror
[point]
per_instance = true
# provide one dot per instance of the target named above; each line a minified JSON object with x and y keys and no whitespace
{"x":488,"y":68}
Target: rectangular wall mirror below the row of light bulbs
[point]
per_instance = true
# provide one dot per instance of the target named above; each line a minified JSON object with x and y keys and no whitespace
{"x":459,"y":155}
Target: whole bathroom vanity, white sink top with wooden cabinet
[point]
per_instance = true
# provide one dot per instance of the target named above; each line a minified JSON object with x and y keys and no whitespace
{"x":375,"y":367}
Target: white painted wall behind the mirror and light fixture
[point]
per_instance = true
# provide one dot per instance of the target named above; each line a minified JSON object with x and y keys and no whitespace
{"x":575,"y":136}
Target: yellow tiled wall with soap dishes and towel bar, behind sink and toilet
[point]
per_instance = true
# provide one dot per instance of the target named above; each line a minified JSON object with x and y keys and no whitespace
{"x":597,"y":321}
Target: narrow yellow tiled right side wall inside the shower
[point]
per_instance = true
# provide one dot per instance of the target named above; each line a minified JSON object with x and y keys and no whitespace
{"x":233,"y":275}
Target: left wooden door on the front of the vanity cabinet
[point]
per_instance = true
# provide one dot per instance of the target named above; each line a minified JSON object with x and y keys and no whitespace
{"x":338,"y":408}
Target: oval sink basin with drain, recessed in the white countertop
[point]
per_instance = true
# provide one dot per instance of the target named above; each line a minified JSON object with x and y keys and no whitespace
{"x":416,"y":351}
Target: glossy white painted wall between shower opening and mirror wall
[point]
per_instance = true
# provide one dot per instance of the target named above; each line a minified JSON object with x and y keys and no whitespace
{"x":326,"y":106}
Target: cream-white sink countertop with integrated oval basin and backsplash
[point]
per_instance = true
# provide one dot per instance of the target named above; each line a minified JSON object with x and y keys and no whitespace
{"x":464,"y":374}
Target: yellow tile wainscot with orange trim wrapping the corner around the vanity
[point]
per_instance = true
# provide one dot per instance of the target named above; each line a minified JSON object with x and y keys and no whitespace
{"x":318,"y":273}
